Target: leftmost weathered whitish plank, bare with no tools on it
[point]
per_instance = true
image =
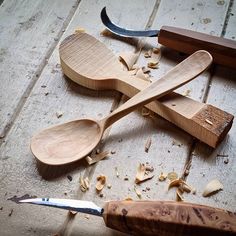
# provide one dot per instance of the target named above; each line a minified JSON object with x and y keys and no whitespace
{"x":29,"y":31}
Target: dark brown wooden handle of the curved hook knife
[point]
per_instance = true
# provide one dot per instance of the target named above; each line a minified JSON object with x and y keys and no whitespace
{"x":222,"y":50}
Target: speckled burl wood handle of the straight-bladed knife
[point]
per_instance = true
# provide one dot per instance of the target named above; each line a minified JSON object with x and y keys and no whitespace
{"x":168,"y":218}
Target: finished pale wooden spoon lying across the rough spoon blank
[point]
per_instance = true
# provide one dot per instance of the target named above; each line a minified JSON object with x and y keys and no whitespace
{"x":71,"y":141}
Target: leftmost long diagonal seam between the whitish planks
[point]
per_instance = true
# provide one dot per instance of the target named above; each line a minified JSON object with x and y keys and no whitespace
{"x":37,"y":74}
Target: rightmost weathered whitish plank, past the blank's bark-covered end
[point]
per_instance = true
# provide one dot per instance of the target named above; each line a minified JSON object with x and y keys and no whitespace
{"x":208,"y":164}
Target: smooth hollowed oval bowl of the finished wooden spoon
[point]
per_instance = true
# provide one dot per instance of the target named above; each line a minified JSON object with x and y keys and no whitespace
{"x":66,"y":142}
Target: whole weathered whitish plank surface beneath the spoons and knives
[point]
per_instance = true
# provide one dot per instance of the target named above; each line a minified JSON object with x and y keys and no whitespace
{"x":33,"y":89}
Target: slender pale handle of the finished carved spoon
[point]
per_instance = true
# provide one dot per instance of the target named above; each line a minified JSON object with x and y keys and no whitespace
{"x":178,"y":76}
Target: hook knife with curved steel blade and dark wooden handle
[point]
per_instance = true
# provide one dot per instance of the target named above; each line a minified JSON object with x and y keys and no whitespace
{"x":186,"y":41}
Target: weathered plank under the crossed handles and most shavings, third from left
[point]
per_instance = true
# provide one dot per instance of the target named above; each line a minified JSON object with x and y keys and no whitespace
{"x":170,"y":147}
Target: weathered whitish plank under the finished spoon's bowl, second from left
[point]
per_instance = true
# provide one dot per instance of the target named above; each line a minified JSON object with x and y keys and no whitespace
{"x":53,"y":93}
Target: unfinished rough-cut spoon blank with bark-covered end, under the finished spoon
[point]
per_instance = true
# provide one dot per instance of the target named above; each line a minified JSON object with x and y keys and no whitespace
{"x":88,"y":62}
